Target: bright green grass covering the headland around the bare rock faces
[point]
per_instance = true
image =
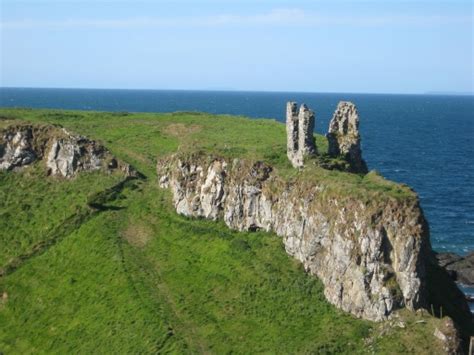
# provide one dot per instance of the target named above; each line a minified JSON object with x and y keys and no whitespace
{"x":143,"y":279}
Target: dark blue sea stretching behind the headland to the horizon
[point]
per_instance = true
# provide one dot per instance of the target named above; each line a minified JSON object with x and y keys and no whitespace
{"x":426,"y":142}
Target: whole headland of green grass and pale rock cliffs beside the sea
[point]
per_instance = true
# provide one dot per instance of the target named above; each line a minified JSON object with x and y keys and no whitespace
{"x":68,"y":213}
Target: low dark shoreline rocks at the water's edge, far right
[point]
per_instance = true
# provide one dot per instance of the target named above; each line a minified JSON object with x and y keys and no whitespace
{"x":461,"y":269}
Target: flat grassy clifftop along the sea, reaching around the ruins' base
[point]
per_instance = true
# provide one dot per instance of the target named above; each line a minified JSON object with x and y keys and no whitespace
{"x":142,"y":138}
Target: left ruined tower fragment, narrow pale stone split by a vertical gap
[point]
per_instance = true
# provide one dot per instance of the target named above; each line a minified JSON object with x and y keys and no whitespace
{"x":299,"y":130}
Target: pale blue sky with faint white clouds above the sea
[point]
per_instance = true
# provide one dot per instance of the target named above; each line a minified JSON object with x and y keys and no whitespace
{"x":260,"y":45}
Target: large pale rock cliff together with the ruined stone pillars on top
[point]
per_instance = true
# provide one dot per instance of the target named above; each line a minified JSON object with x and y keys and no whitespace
{"x":371,"y":249}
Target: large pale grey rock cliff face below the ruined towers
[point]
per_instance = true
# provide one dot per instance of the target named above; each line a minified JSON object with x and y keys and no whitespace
{"x":369,"y":255}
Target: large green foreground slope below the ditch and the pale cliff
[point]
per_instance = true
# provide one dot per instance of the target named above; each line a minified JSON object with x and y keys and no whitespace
{"x":143,"y":279}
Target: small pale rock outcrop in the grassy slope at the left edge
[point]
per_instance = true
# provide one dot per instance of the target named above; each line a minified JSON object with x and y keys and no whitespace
{"x":65,"y":154}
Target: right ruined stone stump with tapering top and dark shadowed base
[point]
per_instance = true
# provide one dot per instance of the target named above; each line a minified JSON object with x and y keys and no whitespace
{"x":344,"y":138}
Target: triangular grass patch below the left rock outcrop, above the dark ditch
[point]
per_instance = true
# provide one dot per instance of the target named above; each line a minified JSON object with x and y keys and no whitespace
{"x":33,"y":206}
